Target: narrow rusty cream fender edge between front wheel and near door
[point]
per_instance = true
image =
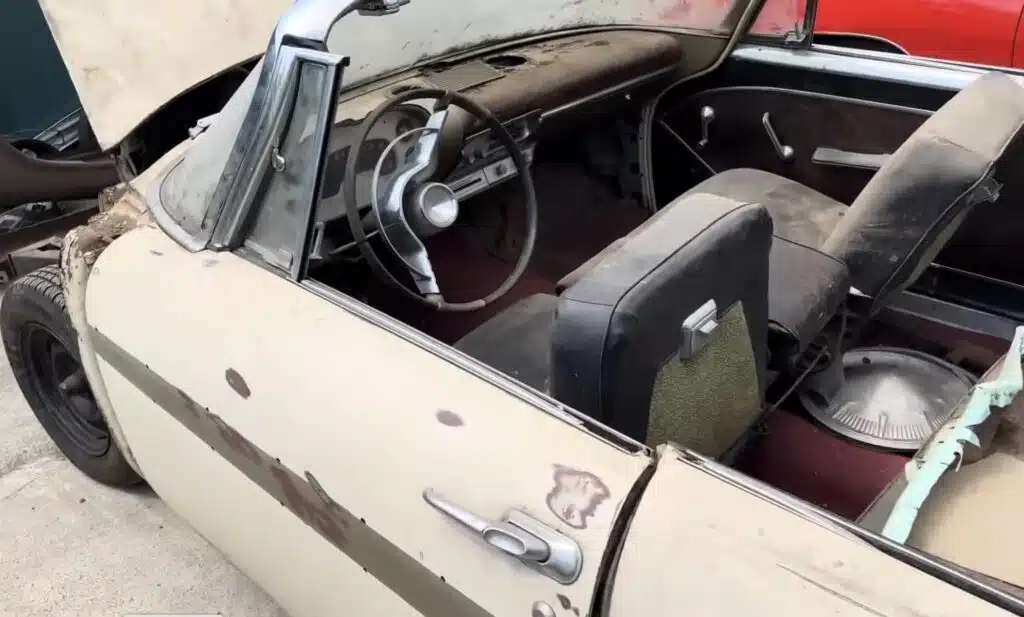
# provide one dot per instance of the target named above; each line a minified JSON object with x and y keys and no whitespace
{"x":79,"y":251}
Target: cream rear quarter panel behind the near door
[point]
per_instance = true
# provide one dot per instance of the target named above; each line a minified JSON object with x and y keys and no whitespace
{"x":701,"y":543}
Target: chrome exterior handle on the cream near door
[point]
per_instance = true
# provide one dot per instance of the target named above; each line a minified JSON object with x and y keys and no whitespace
{"x":522,"y":537}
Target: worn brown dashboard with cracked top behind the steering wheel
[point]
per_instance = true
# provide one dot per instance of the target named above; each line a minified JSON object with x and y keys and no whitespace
{"x":578,"y":79}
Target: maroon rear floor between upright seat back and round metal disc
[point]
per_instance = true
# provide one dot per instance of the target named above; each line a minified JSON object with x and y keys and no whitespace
{"x":818,"y":466}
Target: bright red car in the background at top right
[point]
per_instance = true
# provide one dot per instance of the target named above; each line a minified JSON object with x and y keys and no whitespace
{"x":985,"y":32}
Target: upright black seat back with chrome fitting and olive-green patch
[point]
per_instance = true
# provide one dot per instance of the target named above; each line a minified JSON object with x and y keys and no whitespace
{"x":665,"y":337}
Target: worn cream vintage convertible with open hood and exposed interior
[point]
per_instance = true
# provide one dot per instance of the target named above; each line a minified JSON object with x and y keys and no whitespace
{"x":579,"y":308}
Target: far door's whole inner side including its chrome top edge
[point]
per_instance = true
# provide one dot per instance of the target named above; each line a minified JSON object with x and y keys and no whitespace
{"x":858,"y":103}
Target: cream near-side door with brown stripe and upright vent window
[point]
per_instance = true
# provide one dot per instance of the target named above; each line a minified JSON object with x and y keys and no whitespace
{"x":346,"y":462}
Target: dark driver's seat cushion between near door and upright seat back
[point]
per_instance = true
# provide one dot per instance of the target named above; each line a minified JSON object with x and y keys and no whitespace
{"x":518,"y":341}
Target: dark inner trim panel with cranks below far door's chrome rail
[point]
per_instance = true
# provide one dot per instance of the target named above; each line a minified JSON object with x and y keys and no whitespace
{"x":818,"y":128}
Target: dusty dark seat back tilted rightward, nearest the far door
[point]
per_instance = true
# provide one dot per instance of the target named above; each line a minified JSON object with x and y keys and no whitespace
{"x":912,"y":207}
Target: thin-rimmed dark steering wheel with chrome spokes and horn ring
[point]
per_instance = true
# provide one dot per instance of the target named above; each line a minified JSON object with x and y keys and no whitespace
{"x":412,"y":204}
